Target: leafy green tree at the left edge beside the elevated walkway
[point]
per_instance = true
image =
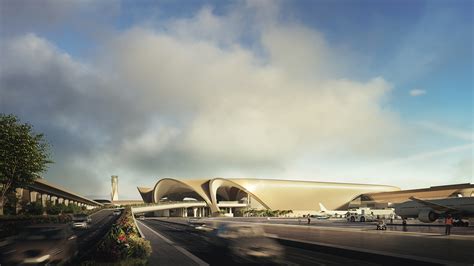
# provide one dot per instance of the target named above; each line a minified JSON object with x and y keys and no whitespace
{"x":24,"y":154}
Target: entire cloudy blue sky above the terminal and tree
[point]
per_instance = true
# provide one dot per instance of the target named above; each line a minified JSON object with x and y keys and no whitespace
{"x":377,"y":92}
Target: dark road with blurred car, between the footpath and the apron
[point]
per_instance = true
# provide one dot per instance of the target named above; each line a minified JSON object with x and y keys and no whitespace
{"x":201,"y":245}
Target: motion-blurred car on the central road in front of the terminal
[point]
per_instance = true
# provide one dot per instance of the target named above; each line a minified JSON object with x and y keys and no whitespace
{"x":248,"y":244}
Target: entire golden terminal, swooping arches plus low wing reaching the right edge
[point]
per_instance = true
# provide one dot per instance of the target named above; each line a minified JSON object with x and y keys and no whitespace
{"x":206,"y":197}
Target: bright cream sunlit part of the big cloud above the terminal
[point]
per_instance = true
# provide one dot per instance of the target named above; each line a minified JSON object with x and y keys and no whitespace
{"x":239,"y":105}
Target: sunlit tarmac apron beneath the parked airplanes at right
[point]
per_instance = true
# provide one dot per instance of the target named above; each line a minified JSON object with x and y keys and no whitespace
{"x":415,"y":244}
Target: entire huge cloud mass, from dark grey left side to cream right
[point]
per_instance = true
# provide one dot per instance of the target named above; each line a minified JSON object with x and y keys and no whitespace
{"x":187,"y":102}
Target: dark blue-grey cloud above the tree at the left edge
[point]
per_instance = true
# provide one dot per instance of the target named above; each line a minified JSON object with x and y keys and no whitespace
{"x":72,"y":105}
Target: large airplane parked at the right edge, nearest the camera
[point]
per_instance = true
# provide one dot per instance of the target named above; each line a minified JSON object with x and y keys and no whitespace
{"x":429,"y":211}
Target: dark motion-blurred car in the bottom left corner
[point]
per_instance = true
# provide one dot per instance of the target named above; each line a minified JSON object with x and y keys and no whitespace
{"x":40,"y":245}
